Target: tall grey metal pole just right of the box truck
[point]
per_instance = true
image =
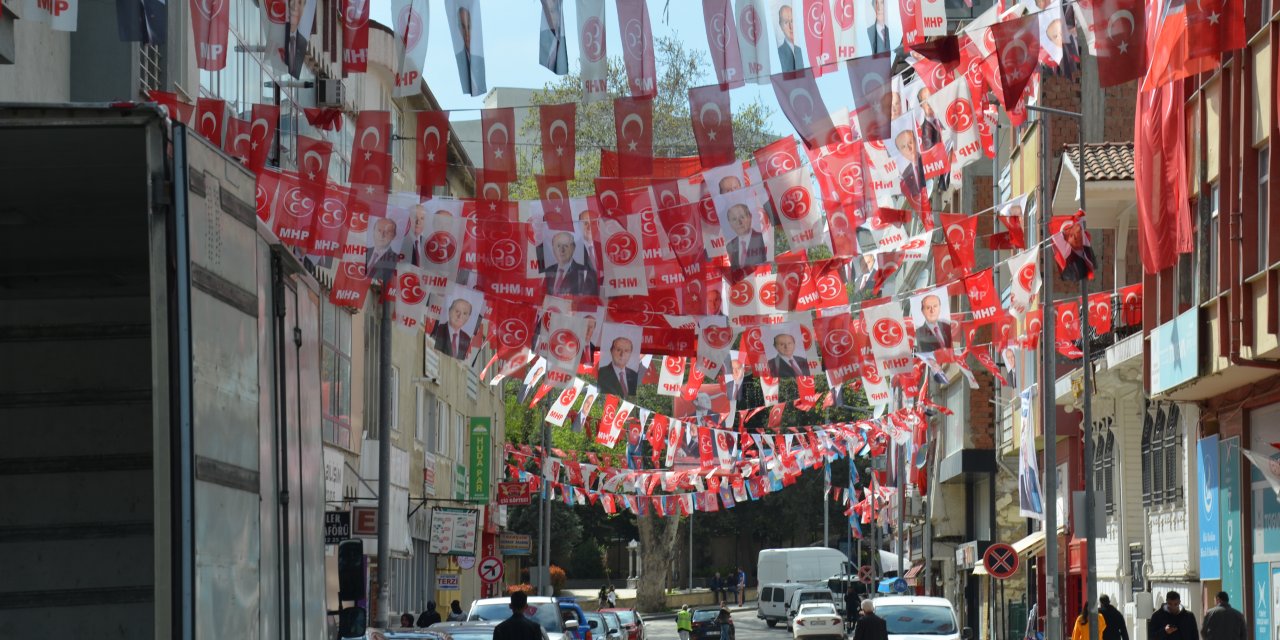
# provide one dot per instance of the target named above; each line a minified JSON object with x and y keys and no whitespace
{"x":382,"y":616}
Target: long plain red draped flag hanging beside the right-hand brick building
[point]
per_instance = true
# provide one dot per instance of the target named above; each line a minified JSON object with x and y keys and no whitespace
{"x":1160,"y":177}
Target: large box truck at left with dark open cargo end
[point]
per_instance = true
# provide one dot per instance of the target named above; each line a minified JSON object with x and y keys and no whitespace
{"x":161,"y":388}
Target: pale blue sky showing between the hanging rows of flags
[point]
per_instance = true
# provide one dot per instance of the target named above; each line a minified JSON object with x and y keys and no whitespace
{"x":511,"y":33}
